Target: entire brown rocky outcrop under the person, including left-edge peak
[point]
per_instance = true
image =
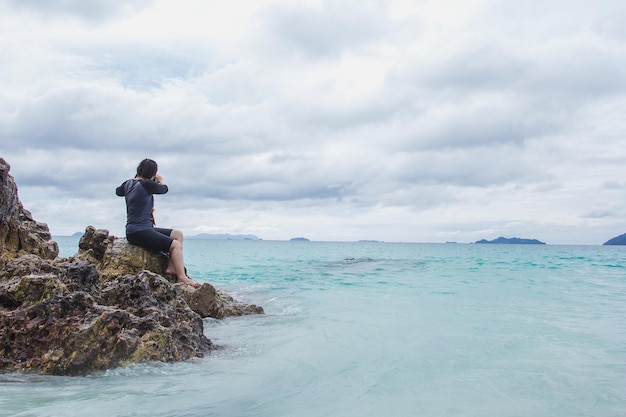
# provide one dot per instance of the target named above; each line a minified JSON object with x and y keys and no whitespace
{"x":107,"y":306}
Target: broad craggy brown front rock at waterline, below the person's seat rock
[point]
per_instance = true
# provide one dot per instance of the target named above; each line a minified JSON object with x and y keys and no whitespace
{"x":56,"y":319}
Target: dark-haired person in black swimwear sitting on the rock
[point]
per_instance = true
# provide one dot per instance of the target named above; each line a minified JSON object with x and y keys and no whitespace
{"x":140,"y":225}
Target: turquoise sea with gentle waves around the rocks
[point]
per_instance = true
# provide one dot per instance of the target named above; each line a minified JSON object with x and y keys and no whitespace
{"x":379,"y":329}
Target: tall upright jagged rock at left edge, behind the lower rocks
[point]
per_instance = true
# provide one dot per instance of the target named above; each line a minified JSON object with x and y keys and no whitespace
{"x":19,"y":233}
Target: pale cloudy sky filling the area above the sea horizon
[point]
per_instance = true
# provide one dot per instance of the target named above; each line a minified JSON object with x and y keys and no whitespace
{"x":346,"y":120}
